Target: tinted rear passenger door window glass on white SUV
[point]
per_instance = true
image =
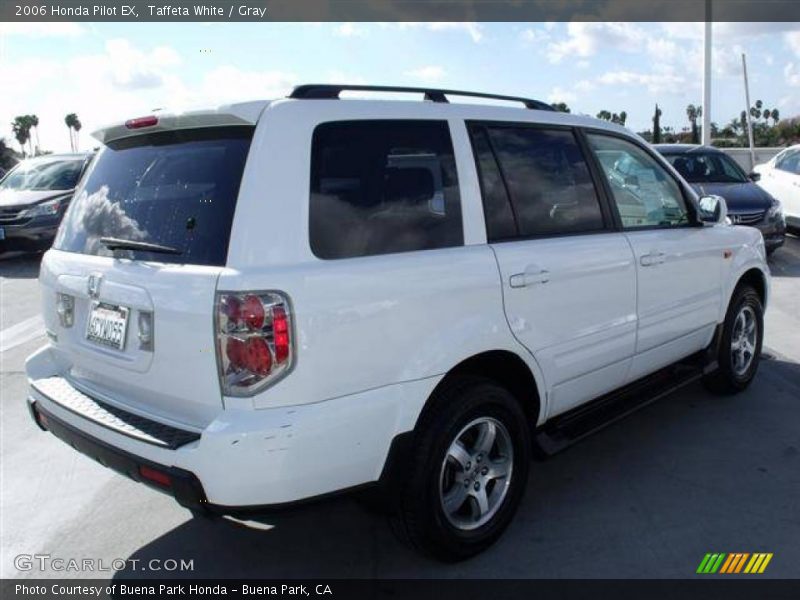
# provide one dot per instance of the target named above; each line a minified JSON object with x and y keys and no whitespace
{"x":546,"y":178}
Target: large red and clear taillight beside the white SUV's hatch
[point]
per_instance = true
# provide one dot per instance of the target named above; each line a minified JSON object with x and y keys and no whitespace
{"x":254,"y":340}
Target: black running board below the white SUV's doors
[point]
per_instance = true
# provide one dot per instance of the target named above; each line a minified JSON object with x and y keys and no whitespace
{"x":566,"y":429}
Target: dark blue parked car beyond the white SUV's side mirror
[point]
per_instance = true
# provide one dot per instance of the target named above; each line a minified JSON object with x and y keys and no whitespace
{"x":710,"y":171}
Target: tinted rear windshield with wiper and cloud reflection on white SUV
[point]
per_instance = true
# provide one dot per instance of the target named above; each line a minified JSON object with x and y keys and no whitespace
{"x":176,"y":189}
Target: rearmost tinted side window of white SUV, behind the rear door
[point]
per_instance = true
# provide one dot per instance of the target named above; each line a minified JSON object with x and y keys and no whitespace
{"x":379,"y":187}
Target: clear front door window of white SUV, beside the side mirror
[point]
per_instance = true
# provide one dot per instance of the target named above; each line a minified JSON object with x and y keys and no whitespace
{"x":646,"y":195}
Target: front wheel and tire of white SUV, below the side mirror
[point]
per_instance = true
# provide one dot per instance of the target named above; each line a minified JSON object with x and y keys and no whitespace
{"x":739,"y":351}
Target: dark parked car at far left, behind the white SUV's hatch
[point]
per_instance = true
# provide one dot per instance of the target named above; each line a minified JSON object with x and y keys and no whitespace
{"x":34,"y":196}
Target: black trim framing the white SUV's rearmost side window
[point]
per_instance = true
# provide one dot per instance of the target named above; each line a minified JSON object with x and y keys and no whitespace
{"x":438,"y":120}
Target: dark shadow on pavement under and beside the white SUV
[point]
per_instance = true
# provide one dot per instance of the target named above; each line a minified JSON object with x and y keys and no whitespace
{"x":645,"y":497}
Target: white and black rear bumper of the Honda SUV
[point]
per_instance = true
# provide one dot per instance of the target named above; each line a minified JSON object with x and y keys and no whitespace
{"x":251,"y":458}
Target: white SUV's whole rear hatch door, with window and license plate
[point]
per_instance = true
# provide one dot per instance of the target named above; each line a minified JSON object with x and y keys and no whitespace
{"x":138,"y":257}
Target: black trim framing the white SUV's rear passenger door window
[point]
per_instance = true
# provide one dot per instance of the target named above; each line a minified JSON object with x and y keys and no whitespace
{"x":609,"y":217}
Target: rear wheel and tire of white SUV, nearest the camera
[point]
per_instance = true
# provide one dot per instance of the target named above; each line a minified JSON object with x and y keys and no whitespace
{"x":471,"y":433}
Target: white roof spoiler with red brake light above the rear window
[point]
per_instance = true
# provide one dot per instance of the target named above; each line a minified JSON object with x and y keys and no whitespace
{"x":246,"y":113}
